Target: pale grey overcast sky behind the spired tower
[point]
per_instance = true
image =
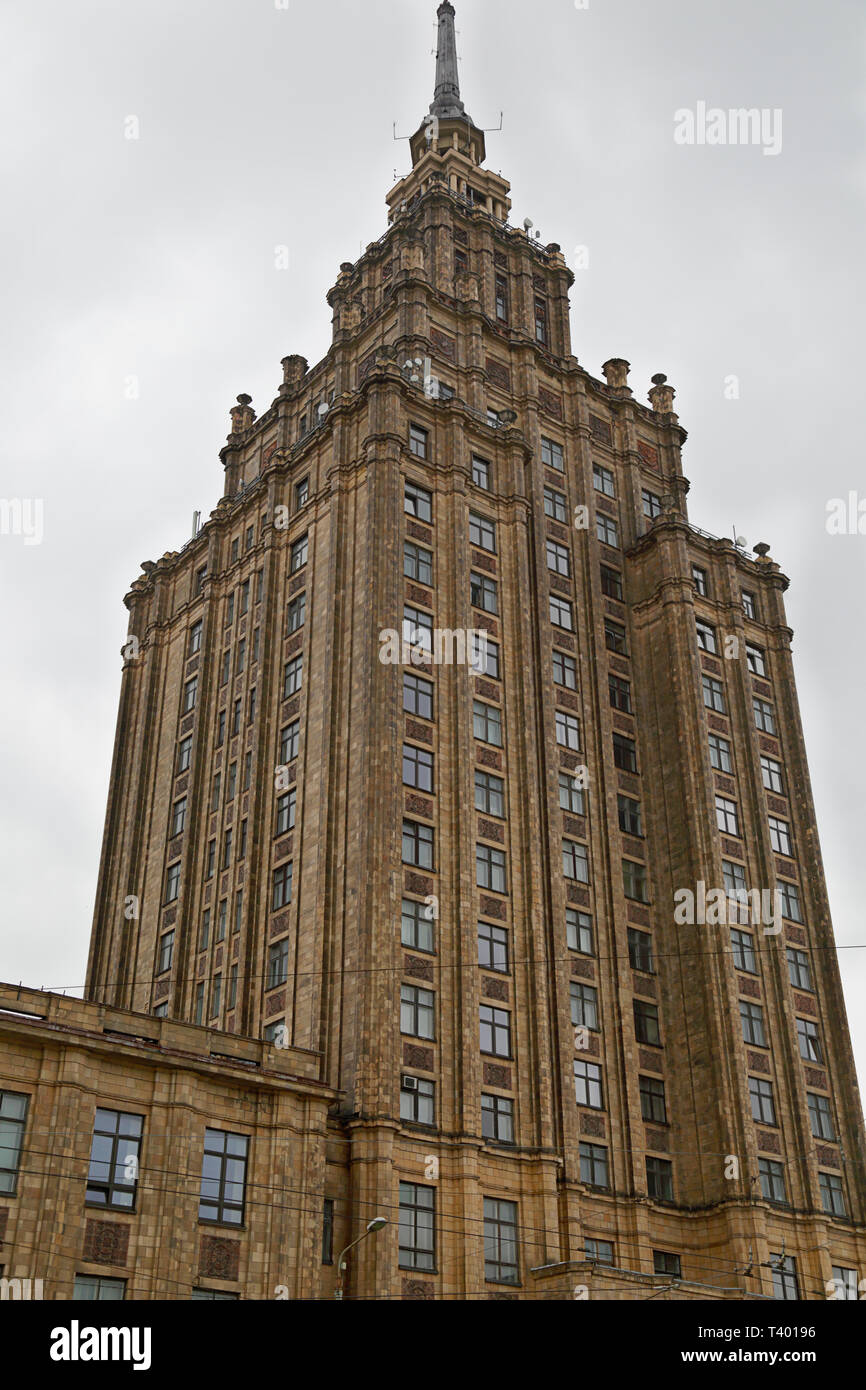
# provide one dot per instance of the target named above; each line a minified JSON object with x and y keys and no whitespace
{"x":158,"y":158}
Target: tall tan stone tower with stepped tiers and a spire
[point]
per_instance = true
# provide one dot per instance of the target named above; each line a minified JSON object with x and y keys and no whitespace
{"x":498,"y":890}
